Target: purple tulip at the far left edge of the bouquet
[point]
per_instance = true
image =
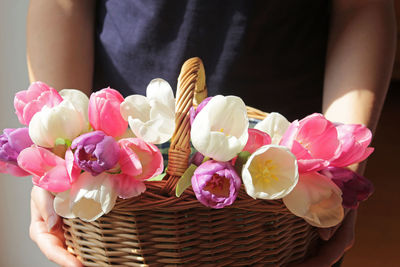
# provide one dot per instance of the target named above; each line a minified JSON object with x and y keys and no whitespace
{"x":12,"y":142}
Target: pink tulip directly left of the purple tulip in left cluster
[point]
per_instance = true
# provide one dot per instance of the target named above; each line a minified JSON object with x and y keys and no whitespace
{"x":49,"y":171}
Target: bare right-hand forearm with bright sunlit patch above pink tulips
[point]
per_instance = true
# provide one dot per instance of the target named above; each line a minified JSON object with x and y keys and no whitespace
{"x":359,"y":63}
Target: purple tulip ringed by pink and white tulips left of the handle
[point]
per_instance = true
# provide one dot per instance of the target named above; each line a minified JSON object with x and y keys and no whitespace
{"x":95,"y":152}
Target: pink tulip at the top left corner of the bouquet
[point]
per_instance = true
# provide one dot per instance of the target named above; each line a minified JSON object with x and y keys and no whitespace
{"x":30,"y":101}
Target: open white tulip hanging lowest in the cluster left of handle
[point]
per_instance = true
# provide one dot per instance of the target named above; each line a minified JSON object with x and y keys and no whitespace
{"x":89,"y":198}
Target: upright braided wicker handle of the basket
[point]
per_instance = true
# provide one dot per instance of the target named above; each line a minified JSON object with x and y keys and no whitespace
{"x":191,"y":90}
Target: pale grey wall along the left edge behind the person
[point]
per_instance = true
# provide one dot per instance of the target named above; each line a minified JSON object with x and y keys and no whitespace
{"x":16,"y":248}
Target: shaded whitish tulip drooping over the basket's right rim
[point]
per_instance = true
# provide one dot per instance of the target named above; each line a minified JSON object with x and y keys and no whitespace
{"x":317,"y":200}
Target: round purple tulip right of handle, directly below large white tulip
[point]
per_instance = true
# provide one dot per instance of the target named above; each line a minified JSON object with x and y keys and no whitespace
{"x":216,"y":184}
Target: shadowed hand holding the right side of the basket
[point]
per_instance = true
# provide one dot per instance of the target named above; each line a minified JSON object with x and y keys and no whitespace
{"x":337,"y":241}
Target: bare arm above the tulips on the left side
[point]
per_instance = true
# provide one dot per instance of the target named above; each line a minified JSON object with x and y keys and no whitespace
{"x":60,"y":37}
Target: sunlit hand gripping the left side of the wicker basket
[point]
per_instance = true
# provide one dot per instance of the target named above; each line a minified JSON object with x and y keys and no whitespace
{"x":46,"y":229}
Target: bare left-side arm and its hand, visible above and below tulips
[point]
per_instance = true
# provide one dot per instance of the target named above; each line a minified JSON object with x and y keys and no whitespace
{"x":60,"y":41}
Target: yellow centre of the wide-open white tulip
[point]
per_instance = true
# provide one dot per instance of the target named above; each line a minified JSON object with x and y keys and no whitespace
{"x":264,"y":172}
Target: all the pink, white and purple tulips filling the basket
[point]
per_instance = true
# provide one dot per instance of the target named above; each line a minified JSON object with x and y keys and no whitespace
{"x":83,"y":151}
